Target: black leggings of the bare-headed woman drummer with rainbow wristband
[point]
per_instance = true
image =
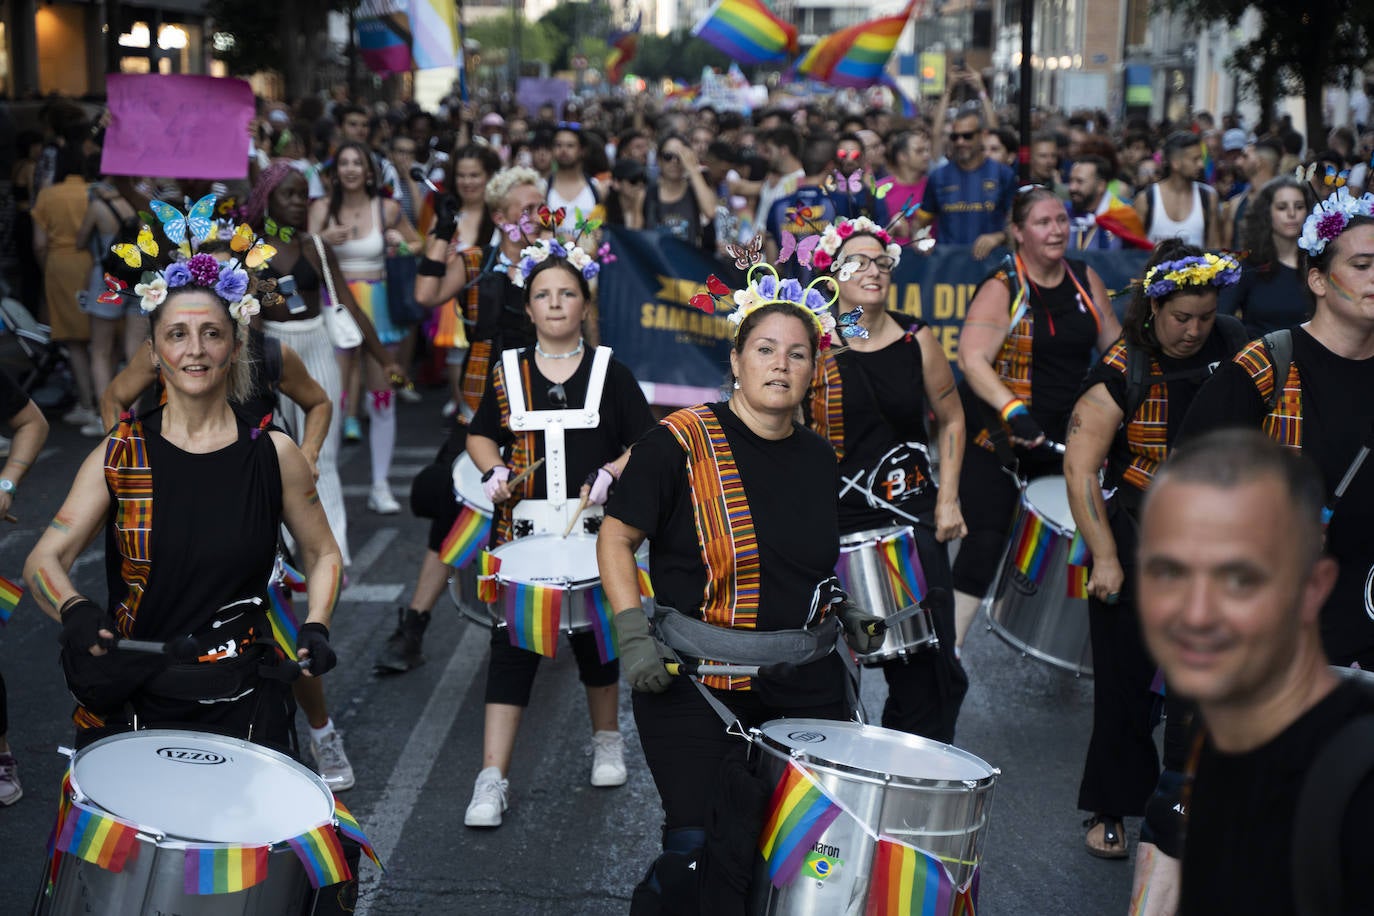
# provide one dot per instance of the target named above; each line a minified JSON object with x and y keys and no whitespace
{"x":989,"y":498}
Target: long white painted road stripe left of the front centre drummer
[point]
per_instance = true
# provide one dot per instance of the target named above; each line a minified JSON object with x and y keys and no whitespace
{"x":421,"y":755}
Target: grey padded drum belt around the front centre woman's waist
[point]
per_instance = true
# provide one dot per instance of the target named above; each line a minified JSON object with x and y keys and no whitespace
{"x":685,"y":635}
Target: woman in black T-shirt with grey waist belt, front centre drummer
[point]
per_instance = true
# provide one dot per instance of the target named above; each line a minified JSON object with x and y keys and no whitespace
{"x":737,"y":502}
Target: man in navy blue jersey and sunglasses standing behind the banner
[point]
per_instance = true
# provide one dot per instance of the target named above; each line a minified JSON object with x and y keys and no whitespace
{"x":971,"y":196}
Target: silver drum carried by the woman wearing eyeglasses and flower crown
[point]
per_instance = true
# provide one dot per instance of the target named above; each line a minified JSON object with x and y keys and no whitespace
{"x":881,"y":572}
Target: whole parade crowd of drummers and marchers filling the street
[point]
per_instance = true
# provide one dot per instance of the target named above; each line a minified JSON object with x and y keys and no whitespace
{"x":462,"y":251}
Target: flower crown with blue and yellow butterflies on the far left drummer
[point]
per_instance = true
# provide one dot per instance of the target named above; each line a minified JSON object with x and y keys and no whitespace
{"x":230,"y":279}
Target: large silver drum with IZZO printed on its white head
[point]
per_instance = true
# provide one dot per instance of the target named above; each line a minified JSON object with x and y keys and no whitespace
{"x":190,"y":789}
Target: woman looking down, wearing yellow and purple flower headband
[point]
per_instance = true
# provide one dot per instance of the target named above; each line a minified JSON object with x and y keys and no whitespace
{"x":1173,"y":341}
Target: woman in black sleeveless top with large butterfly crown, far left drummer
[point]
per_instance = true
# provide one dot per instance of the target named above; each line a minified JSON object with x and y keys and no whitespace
{"x":159,"y":481}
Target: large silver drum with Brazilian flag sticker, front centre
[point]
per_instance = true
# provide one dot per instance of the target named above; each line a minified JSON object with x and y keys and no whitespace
{"x":925,"y":794}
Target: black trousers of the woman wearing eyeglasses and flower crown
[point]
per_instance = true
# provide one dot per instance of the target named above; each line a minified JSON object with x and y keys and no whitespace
{"x":927,"y":690}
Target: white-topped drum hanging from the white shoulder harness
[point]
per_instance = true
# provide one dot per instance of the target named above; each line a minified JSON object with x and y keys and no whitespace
{"x":549,"y":562}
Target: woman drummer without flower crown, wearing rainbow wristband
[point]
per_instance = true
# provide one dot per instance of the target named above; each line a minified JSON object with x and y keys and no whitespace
{"x":1027,"y":343}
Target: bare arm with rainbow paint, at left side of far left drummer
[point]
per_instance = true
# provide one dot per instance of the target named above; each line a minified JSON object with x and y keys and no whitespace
{"x":76,"y":525}
